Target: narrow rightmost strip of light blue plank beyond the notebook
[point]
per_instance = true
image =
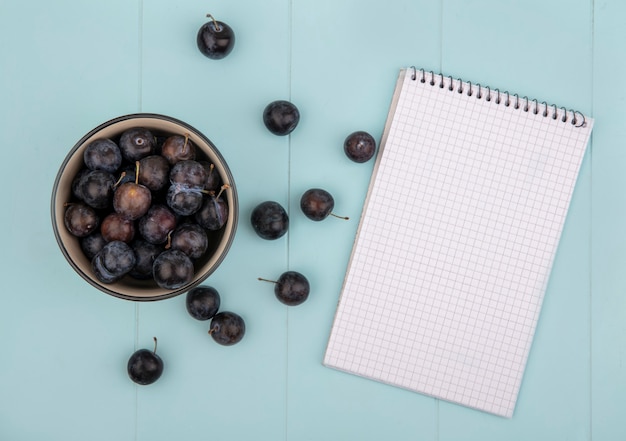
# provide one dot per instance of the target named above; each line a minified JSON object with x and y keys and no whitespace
{"x":608,"y":342}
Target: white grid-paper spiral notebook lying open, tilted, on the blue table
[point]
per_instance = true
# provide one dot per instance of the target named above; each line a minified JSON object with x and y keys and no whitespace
{"x":464,"y":212}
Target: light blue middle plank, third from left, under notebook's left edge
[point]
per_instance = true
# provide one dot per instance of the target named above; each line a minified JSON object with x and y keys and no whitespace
{"x":345,"y":60}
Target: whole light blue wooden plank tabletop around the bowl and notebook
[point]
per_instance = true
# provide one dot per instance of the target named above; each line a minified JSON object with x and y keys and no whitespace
{"x":69,"y":65}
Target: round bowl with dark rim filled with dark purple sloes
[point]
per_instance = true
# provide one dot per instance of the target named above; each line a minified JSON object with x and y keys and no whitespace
{"x":144,"y":207}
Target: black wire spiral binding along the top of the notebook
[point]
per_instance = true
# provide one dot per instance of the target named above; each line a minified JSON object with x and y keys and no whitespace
{"x":433,"y":79}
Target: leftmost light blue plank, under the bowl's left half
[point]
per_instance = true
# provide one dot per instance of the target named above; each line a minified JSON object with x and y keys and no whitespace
{"x":64,"y":344}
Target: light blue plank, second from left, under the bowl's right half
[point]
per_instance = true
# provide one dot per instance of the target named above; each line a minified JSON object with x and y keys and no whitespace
{"x":208,"y":388}
